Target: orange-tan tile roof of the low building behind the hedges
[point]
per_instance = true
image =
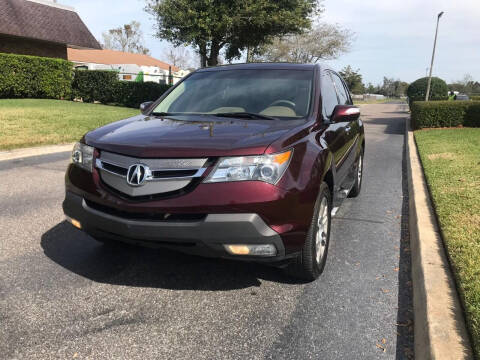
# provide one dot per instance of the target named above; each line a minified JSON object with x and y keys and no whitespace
{"x":110,"y":57}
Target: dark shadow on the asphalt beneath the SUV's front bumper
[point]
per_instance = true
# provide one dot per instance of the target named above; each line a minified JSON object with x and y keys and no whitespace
{"x":130,"y":265}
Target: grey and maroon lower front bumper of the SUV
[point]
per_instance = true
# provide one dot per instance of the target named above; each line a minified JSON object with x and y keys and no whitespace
{"x":204,"y":237}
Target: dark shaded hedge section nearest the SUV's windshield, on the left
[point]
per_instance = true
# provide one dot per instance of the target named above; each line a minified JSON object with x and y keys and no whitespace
{"x":132,"y":94}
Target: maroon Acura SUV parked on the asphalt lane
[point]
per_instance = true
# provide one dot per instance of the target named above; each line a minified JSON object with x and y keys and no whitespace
{"x":239,"y":161}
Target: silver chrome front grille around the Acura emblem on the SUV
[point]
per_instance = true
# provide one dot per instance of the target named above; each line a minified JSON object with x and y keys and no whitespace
{"x":160,"y":176}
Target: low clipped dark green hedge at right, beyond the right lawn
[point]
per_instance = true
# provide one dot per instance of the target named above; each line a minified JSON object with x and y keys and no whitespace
{"x":434,"y":114}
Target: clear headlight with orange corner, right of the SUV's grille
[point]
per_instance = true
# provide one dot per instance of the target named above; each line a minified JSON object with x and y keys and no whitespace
{"x":268,"y":168}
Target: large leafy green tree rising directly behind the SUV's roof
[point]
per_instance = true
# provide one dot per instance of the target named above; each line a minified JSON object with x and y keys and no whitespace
{"x":230,"y":25}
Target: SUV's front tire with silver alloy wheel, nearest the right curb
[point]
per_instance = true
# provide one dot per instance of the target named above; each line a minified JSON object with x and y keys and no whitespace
{"x":310,"y":263}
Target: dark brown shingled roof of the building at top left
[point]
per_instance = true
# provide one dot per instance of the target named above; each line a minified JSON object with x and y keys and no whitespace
{"x":34,"y":20}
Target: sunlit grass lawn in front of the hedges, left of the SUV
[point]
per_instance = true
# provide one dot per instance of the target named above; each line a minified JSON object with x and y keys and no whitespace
{"x":32,"y":122}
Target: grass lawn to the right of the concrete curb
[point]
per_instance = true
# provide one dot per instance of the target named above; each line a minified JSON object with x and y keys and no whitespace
{"x":451,"y":160}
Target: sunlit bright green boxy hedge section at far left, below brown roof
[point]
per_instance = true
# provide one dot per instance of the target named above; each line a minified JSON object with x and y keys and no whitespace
{"x":23,"y":76}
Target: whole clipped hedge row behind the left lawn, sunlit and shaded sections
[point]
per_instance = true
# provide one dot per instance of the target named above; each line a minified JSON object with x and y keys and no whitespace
{"x":23,"y":76}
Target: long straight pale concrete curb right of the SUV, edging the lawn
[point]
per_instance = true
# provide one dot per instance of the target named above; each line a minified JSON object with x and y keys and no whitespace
{"x":440,"y":331}
